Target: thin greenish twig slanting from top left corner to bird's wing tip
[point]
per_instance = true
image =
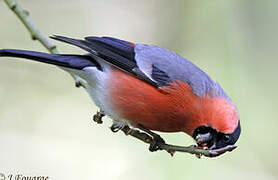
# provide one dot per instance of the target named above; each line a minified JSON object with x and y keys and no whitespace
{"x":33,"y":30}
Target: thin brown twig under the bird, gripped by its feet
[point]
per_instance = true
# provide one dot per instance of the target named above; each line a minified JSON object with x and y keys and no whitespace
{"x":172,"y":148}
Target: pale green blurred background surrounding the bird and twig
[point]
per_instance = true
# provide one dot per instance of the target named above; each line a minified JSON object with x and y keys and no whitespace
{"x":46,"y":123}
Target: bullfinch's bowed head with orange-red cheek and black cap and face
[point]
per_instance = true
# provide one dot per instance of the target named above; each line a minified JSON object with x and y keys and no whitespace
{"x":221,"y":127}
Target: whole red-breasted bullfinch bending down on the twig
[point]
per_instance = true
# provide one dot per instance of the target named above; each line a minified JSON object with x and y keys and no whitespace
{"x":149,"y":88}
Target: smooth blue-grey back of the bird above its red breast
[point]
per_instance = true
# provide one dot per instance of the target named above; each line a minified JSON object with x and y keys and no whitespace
{"x":170,"y":65}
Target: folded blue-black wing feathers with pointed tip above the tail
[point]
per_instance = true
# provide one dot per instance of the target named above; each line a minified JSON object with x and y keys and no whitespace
{"x":117,"y":52}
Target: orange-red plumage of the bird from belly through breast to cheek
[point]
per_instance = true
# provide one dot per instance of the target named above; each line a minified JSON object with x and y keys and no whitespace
{"x":171,"y":108}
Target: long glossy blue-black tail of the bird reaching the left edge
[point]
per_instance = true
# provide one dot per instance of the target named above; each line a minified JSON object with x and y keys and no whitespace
{"x":64,"y":60}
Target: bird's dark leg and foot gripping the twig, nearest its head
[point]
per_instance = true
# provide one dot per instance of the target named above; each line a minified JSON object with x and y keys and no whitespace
{"x":156,"y":141}
